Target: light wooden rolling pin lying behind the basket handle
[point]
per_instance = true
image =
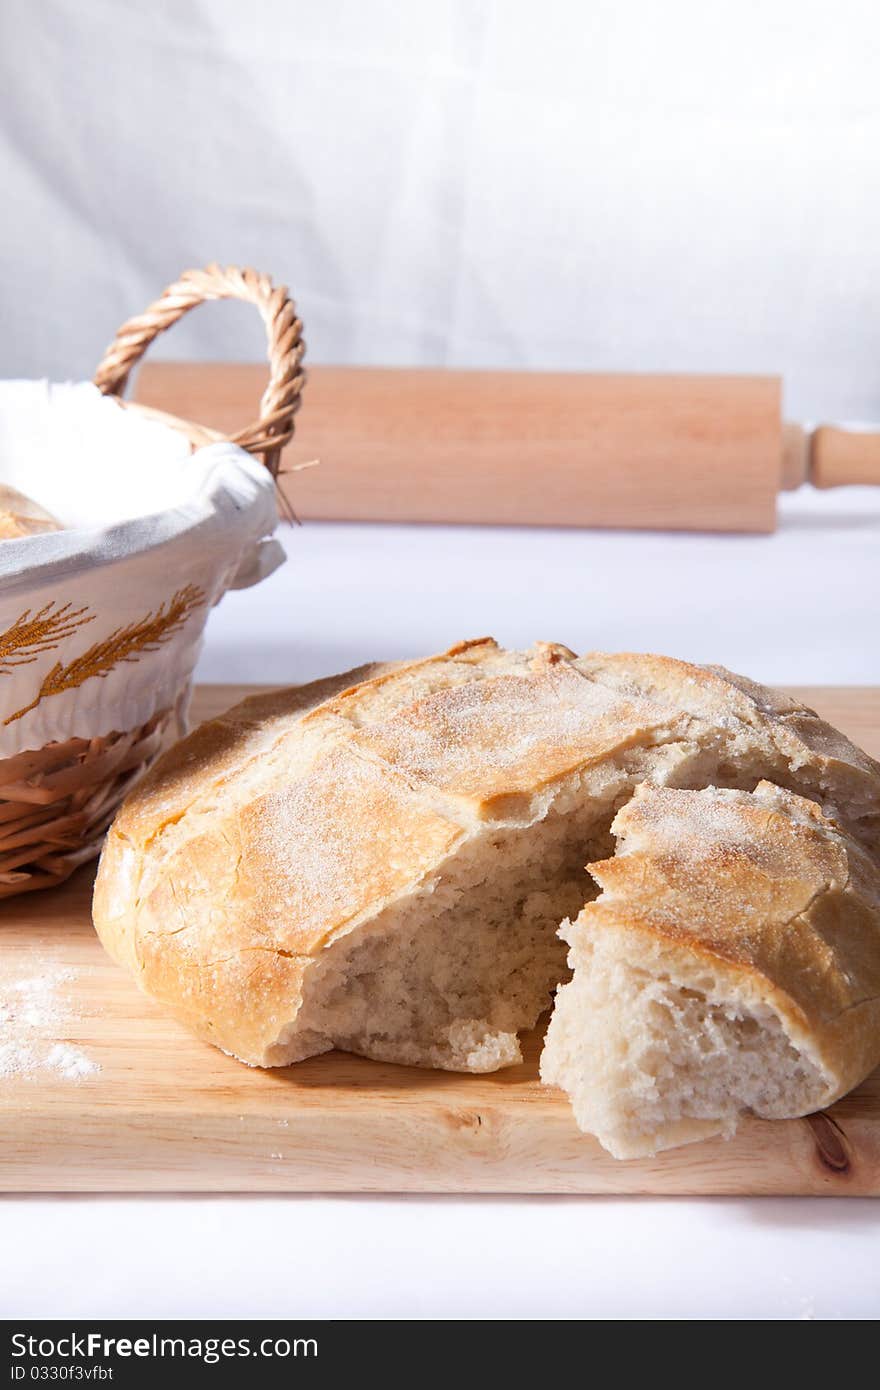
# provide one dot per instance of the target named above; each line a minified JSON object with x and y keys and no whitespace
{"x":696,"y":454}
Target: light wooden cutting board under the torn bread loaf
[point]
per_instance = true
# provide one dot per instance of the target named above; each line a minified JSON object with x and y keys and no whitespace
{"x":168,"y":1113}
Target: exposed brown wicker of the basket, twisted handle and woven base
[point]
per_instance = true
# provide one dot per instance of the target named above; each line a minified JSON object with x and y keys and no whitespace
{"x":58,"y":801}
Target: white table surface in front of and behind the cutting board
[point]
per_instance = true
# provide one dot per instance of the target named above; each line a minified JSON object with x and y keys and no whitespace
{"x":800,"y":607}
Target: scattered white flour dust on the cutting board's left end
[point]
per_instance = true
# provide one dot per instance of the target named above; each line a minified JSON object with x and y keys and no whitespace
{"x":34,"y":1011}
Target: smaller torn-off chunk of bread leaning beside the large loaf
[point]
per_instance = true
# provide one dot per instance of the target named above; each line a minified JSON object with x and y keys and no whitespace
{"x":731,"y":965}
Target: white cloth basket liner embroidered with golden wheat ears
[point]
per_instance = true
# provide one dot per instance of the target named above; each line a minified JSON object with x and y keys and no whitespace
{"x":102,"y":623}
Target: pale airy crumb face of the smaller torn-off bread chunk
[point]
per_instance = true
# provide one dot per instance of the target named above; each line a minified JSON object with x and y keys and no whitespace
{"x":651,"y":1061}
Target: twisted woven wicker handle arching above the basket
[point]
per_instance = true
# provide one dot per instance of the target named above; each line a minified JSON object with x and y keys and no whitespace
{"x":282,"y":400}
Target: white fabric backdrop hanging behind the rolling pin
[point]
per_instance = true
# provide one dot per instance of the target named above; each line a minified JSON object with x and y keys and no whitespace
{"x":607,"y":184}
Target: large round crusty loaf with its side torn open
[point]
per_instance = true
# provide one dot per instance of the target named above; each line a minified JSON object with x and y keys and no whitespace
{"x":380,"y":862}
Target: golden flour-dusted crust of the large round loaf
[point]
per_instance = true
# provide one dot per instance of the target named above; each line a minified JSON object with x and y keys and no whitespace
{"x":298,"y":817}
